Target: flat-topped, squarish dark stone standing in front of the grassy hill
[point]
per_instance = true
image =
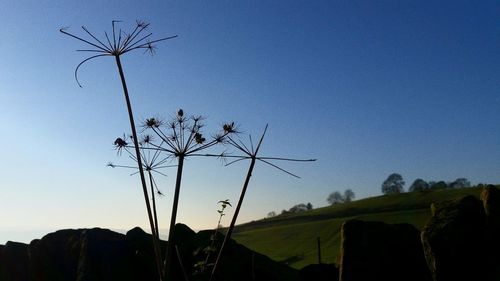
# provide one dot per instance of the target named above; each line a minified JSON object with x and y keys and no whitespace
{"x":379,"y":251}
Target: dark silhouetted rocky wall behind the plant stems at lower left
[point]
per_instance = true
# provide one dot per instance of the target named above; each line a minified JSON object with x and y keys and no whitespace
{"x":101,"y":254}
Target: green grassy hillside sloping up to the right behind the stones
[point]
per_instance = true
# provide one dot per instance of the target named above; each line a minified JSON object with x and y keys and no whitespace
{"x":292,"y":238}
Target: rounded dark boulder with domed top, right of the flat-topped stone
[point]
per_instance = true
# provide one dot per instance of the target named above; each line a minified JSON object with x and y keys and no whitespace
{"x":453,"y":240}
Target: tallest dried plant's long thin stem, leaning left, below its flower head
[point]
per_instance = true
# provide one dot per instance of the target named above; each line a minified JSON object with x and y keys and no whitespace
{"x":139,"y":163}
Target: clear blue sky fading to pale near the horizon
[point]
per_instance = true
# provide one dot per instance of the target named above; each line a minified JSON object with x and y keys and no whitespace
{"x":367,"y":87}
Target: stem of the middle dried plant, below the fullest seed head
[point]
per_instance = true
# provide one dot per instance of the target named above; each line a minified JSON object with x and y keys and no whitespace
{"x":168,"y":265}
